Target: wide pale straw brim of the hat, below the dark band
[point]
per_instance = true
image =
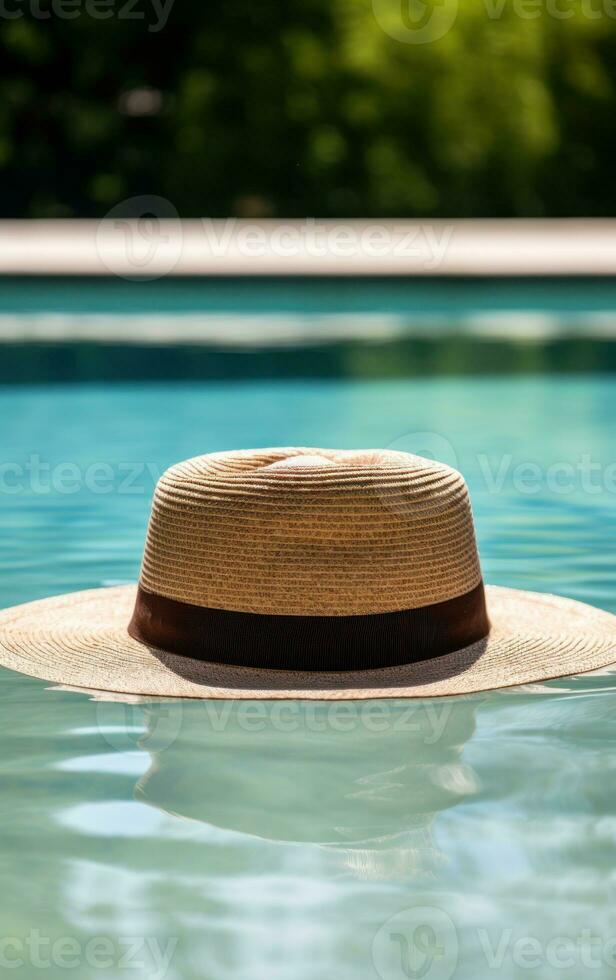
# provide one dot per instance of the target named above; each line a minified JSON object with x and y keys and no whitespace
{"x":81,"y":640}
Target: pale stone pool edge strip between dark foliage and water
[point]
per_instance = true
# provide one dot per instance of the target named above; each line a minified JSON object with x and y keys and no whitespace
{"x":152,"y":247}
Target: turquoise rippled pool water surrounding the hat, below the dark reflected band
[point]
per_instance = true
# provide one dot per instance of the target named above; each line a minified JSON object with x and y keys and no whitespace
{"x":463,"y":838}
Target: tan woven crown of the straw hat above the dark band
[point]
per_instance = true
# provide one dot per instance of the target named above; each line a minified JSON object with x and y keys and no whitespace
{"x":321,"y":532}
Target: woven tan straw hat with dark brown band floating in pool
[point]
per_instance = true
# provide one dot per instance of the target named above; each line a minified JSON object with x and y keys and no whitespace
{"x":307,"y":573}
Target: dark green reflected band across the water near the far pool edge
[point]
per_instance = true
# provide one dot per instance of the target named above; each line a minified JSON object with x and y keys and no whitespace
{"x":447,"y":355}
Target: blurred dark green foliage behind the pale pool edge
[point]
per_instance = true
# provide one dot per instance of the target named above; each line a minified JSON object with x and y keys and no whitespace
{"x":308,"y":107}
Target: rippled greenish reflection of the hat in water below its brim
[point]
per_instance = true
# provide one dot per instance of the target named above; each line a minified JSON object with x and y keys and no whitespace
{"x":259,"y":769}
